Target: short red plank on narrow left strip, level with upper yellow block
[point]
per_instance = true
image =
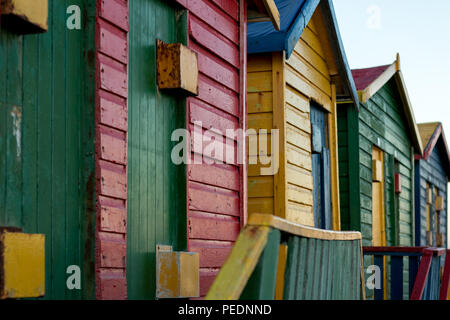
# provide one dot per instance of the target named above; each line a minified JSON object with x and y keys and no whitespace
{"x":113,"y":76}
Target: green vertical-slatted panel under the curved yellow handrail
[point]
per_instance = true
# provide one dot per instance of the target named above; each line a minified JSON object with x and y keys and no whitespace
{"x":322,"y":270}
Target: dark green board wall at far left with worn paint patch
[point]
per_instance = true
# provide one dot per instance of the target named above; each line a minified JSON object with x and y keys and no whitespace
{"x":46,"y":143}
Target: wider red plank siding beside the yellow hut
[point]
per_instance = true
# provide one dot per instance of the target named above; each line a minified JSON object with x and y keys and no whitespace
{"x":216,"y":193}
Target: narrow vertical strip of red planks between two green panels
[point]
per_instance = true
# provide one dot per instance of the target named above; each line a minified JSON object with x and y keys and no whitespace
{"x":111,"y":148}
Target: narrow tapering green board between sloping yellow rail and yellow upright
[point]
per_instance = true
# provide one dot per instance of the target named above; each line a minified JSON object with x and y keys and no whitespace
{"x":262,"y":283}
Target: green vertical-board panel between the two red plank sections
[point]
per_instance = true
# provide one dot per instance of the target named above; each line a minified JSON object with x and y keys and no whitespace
{"x":156,"y":187}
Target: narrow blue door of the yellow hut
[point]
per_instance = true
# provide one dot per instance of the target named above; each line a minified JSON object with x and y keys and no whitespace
{"x":321,"y":168}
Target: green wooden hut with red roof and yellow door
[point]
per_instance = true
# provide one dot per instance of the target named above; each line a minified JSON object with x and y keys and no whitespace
{"x":376,"y":159}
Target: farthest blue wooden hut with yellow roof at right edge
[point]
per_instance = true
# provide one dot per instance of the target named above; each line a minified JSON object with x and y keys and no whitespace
{"x":432,"y":173}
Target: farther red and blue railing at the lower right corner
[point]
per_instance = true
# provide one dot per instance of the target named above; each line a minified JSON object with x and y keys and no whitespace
{"x":424,"y":272}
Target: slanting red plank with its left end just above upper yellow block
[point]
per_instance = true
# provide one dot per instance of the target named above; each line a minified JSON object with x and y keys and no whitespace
{"x":213,"y":41}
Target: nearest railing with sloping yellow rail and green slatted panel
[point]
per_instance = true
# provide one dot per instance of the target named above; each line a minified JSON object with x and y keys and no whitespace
{"x":276,"y":259}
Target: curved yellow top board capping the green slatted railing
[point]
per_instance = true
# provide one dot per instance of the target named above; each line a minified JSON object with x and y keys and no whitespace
{"x":267,"y":220}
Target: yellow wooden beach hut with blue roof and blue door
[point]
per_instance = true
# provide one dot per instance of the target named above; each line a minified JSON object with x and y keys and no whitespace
{"x":296,"y":78}
